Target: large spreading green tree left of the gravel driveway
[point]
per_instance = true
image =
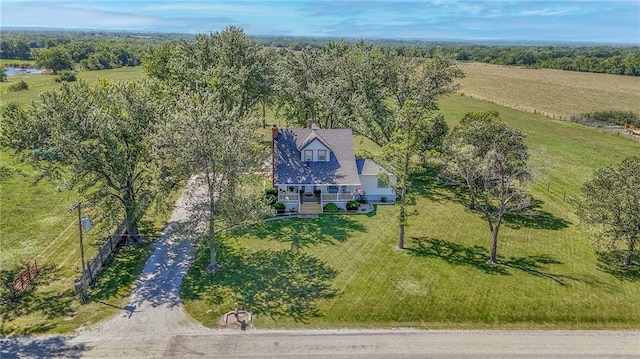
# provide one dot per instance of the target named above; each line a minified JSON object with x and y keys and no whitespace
{"x":98,"y":139}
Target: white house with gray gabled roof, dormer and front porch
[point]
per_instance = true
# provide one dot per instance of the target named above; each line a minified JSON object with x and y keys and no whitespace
{"x":312,"y":167}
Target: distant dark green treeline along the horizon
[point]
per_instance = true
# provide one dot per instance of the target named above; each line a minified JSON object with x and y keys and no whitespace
{"x":104,"y":49}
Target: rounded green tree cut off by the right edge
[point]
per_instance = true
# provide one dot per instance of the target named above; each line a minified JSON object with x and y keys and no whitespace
{"x":610,"y":206}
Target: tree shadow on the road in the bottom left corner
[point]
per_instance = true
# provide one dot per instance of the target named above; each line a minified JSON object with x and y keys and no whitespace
{"x":39,"y":347}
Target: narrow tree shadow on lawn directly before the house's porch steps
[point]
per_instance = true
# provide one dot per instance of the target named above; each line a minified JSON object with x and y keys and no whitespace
{"x":303,"y":233}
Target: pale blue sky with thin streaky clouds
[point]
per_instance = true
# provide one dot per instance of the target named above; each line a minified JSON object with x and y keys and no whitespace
{"x":609,"y":21}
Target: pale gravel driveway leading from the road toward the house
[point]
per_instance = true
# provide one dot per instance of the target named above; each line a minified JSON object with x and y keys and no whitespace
{"x":155,"y":308}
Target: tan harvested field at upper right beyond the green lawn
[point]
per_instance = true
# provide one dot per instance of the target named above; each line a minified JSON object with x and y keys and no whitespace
{"x":552,"y":92}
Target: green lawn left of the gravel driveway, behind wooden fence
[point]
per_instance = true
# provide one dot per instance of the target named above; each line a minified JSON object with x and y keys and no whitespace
{"x":35,"y":224}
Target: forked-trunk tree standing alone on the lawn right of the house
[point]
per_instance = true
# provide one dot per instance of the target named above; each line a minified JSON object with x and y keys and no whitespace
{"x":491,"y":159}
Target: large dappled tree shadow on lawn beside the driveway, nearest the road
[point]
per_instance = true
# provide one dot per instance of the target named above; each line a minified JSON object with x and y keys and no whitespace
{"x":283,"y":283}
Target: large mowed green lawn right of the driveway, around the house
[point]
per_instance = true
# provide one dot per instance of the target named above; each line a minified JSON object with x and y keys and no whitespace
{"x":549,"y":275}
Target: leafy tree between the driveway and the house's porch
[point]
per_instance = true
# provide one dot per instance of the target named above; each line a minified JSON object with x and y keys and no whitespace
{"x":216,"y":148}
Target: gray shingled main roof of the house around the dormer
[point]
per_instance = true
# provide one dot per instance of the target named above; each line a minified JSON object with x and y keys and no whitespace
{"x":291,"y":170}
